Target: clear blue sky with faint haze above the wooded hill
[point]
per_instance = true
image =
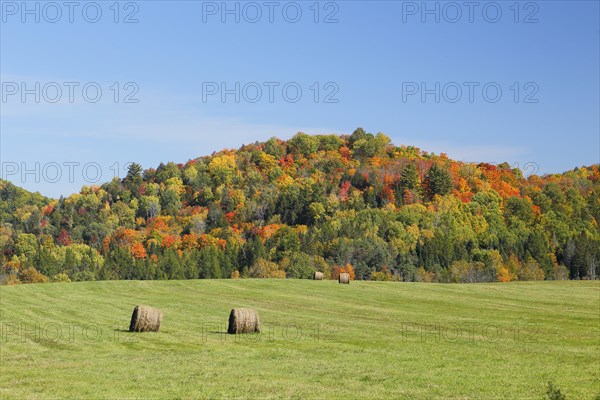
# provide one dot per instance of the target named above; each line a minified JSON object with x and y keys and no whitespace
{"x":370,"y":67}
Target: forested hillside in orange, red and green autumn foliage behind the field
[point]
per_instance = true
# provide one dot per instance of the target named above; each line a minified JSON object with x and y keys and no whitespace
{"x":287,"y":208}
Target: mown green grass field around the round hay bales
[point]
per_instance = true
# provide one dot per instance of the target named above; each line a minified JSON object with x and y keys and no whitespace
{"x":378,"y":340}
